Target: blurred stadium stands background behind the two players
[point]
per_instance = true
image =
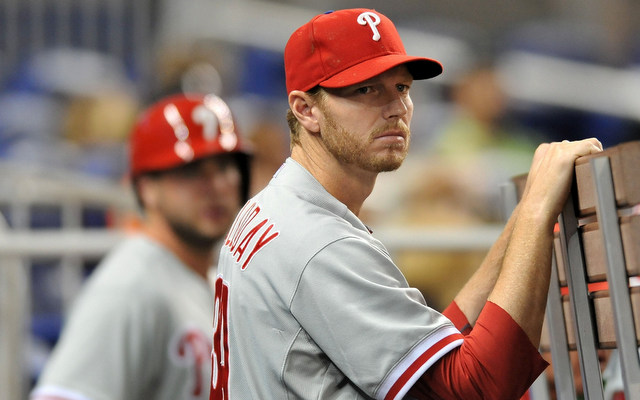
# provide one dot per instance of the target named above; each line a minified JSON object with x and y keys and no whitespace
{"x":74,"y":73}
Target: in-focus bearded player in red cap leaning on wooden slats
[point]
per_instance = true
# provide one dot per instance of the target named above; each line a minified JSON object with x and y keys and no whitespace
{"x":309,"y":305}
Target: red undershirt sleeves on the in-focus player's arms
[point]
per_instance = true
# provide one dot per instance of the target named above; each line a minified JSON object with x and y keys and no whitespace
{"x":496,"y":361}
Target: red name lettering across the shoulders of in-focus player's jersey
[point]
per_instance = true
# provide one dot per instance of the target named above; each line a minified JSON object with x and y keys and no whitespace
{"x":249,"y":234}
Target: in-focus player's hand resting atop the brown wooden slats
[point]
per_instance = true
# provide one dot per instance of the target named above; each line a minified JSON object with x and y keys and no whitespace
{"x":551,"y":174}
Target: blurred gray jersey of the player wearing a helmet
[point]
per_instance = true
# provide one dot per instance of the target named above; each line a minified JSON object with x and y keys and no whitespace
{"x":140,"y":329}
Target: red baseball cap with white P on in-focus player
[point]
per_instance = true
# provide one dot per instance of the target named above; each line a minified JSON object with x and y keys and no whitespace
{"x":345,"y":47}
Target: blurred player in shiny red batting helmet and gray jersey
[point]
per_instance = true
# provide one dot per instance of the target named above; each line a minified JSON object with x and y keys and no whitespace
{"x":141,"y":327}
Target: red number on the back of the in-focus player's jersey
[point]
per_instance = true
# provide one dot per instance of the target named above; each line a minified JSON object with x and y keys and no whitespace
{"x":220,"y":353}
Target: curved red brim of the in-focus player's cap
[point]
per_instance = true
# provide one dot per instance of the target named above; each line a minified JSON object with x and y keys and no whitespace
{"x":419,"y":67}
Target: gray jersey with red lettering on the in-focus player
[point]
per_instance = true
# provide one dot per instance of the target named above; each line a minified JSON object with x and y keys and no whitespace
{"x":309,"y":305}
